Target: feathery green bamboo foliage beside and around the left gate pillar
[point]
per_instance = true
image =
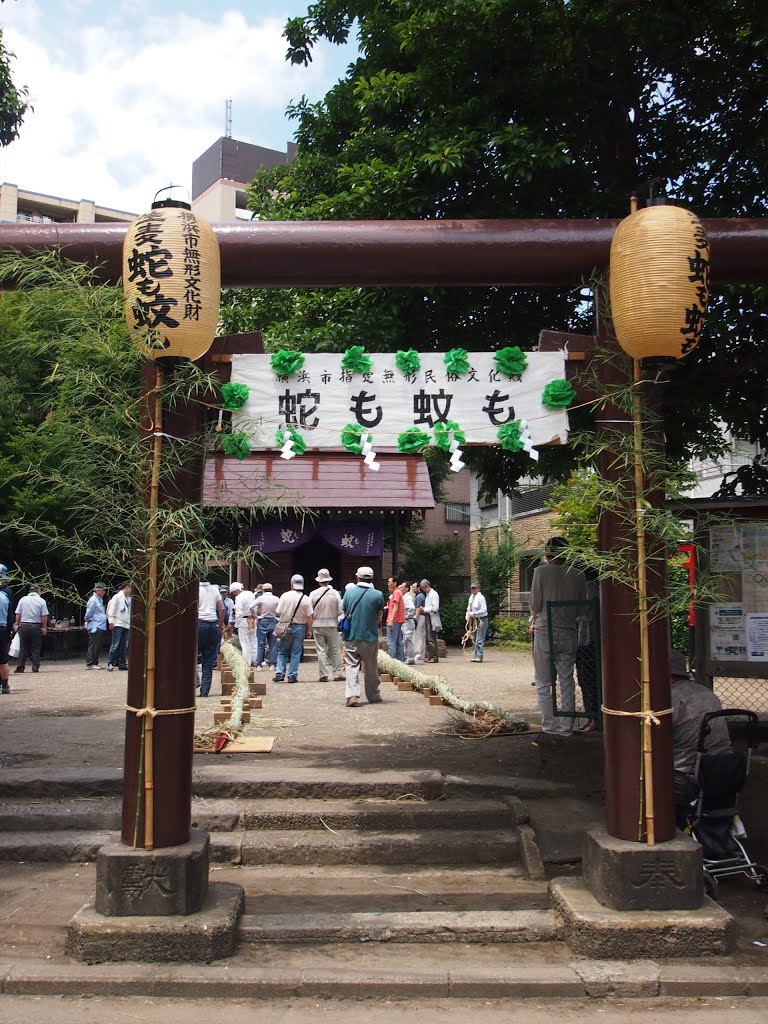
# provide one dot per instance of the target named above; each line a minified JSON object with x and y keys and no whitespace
{"x":76,"y":472}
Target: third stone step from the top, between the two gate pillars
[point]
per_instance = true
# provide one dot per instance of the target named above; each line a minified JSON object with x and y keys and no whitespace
{"x":313,"y":847}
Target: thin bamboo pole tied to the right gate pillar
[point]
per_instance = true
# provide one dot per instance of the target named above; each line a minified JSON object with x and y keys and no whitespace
{"x":643,"y":589}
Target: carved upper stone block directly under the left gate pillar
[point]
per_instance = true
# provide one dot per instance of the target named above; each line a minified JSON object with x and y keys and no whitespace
{"x":153,"y":883}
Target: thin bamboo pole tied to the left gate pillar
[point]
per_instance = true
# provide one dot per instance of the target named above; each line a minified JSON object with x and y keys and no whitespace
{"x":152,"y":601}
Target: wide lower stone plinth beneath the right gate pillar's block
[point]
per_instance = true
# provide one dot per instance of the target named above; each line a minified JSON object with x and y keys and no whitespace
{"x":604,"y":933}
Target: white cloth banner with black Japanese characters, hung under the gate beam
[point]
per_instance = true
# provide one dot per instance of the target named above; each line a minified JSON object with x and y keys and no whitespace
{"x":321,"y":399}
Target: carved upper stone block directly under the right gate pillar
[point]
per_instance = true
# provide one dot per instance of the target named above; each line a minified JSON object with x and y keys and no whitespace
{"x":627,"y":876}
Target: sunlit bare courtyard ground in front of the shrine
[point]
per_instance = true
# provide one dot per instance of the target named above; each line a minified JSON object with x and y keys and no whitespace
{"x":77,"y":717}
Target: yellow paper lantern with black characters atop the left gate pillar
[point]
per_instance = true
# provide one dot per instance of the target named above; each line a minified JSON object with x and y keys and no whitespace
{"x":173,"y":282}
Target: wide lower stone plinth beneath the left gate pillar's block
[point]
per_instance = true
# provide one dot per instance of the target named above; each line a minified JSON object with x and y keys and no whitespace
{"x":209,"y":934}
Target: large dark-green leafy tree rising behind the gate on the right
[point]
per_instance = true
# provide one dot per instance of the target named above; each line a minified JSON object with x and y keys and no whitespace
{"x":488,"y":109}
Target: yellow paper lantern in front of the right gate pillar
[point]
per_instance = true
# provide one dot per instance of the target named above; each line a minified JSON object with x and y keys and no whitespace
{"x":660,"y":277}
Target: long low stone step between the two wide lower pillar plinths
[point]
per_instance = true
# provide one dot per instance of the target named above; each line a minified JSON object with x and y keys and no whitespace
{"x":432,"y":926}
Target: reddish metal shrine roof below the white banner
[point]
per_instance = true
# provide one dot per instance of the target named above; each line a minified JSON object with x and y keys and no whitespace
{"x":320,"y":481}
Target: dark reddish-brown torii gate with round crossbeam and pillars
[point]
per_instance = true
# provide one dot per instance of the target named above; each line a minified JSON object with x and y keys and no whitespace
{"x":515,"y":253}
